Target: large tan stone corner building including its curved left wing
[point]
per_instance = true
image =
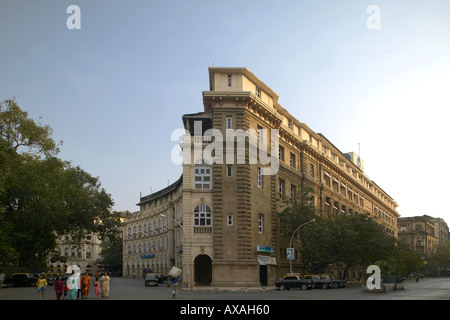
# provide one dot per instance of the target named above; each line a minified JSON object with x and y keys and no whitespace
{"x":223,"y":227}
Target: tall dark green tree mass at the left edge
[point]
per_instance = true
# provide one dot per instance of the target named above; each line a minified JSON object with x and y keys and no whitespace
{"x":42,"y":196}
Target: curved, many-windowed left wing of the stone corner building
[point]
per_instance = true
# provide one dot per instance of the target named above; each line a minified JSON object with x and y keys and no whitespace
{"x":150,"y":241}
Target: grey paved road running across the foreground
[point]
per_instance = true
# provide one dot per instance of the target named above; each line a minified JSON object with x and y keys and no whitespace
{"x":134,"y":289}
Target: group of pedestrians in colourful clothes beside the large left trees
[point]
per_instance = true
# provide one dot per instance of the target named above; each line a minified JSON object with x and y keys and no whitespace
{"x":77,"y":286}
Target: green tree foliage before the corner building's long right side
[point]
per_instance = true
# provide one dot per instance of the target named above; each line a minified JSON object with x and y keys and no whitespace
{"x":355,"y":240}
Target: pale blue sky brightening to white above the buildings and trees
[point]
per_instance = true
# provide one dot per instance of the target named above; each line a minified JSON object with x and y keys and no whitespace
{"x":116,"y":89}
